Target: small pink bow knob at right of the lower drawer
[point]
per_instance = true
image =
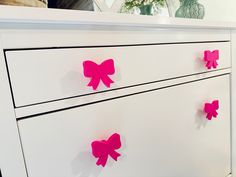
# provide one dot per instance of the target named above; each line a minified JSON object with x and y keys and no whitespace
{"x":211,"y":109}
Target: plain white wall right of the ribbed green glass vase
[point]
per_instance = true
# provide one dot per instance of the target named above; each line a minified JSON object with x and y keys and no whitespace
{"x":222,"y":10}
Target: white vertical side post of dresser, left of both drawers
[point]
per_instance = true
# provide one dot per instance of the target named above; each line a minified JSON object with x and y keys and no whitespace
{"x":11,"y":157}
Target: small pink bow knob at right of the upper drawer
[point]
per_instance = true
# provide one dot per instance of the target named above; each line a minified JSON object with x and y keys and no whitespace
{"x":211,"y":58}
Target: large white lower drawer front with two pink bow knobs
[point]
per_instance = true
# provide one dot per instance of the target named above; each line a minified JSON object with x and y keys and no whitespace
{"x":164,"y":133}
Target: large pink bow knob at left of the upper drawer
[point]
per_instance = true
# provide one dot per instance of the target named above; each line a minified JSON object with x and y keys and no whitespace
{"x":99,"y":72}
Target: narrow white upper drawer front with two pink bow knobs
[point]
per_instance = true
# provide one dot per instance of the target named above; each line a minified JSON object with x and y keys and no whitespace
{"x":46,"y":75}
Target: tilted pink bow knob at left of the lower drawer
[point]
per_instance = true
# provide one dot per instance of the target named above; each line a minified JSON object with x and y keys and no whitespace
{"x":101,"y":149}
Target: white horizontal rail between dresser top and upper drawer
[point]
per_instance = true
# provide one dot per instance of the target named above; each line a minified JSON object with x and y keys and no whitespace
{"x":25,"y":36}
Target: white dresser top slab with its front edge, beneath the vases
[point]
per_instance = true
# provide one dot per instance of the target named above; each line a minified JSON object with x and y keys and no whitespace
{"x":29,"y":15}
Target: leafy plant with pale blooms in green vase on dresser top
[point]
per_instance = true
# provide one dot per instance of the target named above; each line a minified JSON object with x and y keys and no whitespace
{"x":145,"y":6}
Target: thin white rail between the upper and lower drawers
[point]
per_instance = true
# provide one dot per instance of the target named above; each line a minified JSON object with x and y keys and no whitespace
{"x":93,"y":98}
